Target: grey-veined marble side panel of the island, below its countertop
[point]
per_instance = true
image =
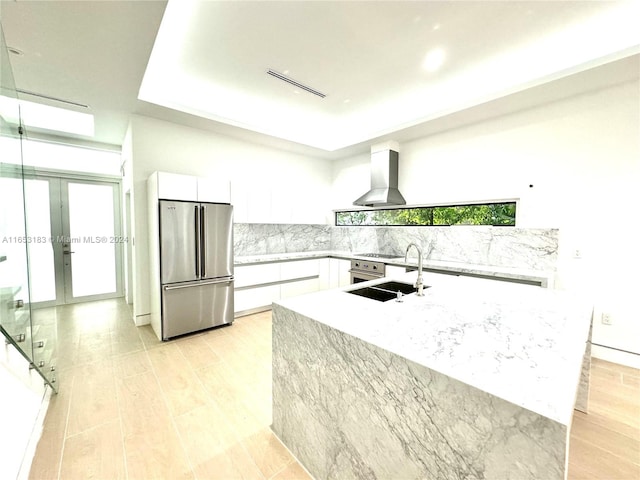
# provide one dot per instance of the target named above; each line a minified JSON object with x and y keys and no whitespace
{"x":349,"y":409}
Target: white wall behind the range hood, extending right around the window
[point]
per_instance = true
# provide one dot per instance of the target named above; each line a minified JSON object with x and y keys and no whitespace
{"x":581,"y":154}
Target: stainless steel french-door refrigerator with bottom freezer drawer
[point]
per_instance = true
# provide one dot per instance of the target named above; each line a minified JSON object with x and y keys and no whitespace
{"x":196,"y":266}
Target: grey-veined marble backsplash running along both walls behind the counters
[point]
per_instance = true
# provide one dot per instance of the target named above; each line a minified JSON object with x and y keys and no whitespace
{"x":528,"y":248}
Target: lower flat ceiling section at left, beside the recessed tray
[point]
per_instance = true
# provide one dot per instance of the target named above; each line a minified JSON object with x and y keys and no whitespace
{"x":89,"y":52}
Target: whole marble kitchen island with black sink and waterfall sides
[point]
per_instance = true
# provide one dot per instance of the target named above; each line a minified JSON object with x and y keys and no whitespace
{"x":476,"y":379}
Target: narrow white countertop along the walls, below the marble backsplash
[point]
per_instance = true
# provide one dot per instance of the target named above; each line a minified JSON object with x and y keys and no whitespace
{"x":543,"y":277}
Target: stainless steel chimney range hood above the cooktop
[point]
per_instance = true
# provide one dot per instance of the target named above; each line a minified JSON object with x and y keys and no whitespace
{"x":384,"y":178}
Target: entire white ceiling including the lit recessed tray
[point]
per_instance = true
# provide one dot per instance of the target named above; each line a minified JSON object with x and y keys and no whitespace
{"x":209,"y":61}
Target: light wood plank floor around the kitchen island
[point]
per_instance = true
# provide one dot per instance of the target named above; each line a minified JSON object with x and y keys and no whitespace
{"x":132,"y":407}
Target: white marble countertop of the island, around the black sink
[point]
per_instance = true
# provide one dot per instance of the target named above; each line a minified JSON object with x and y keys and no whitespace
{"x":522,"y":343}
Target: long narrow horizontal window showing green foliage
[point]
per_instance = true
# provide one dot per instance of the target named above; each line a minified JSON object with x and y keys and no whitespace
{"x":503,"y":214}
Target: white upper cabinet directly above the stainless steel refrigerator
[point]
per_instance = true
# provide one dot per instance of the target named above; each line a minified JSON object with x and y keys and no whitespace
{"x":174,"y":186}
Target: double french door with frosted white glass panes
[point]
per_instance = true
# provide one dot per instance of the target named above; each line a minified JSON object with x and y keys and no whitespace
{"x":75,"y":244}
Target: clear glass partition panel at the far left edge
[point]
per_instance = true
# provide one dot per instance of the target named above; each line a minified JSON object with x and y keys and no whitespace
{"x":35,"y":340}
